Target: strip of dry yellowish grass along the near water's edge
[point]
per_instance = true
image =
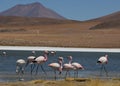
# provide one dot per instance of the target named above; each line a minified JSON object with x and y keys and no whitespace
{"x":67,"y":82}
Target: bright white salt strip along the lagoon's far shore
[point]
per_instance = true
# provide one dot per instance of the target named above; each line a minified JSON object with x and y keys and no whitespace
{"x":38,"y":48}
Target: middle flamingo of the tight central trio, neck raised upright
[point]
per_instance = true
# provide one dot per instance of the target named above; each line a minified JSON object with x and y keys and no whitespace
{"x":68,"y":66}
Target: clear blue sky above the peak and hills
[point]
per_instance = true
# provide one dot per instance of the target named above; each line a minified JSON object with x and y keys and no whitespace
{"x":72,"y":9}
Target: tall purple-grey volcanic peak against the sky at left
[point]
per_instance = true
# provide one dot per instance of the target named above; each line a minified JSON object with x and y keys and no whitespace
{"x":31,"y":10}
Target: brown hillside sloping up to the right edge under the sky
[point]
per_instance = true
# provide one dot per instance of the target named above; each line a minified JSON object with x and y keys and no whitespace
{"x":108,"y":21}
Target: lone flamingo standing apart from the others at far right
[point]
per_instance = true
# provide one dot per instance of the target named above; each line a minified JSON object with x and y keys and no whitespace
{"x":103,"y":60}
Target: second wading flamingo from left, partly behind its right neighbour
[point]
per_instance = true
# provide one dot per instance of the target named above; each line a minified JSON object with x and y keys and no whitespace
{"x":31,"y":61}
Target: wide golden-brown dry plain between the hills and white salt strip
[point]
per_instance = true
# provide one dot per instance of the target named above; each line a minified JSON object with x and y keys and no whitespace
{"x":70,"y":34}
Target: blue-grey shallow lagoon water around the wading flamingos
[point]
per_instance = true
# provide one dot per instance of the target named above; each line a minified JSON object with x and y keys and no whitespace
{"x":87,"y":59}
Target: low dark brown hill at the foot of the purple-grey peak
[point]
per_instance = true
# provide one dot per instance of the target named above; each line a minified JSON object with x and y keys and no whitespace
{"x":28,"y":21}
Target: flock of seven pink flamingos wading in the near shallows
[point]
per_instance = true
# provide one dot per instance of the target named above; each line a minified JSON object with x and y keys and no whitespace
{"x":58,"y":66}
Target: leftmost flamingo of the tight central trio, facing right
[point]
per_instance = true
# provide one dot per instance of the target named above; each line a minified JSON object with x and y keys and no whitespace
{"x":57,"y":66}
